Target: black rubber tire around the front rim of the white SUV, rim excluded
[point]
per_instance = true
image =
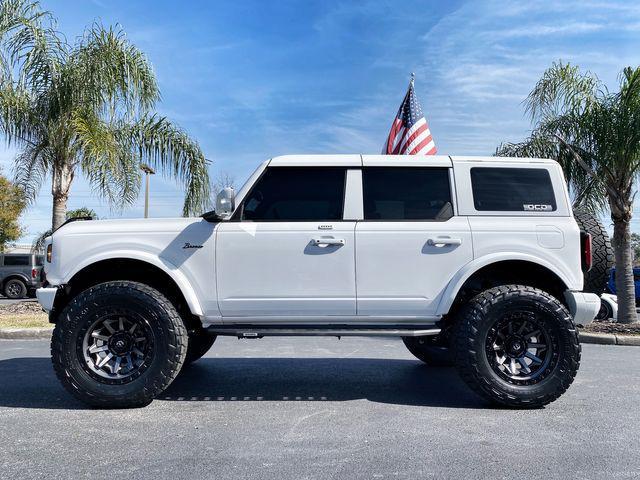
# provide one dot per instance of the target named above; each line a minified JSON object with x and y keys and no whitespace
{"x":169,"y":337}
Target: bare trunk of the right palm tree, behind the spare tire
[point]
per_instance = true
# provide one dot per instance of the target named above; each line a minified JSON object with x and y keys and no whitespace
{"x":625,"y":286}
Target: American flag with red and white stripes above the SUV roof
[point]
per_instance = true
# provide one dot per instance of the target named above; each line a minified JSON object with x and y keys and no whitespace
{"x":410,"y":134}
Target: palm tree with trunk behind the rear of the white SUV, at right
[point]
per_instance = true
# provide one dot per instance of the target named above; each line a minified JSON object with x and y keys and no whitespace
{"x":595,"y":135}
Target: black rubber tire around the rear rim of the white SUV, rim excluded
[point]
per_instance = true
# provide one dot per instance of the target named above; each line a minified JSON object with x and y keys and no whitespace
{"x":472,"y":361}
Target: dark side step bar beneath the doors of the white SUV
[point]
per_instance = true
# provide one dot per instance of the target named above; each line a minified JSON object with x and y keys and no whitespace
{"x":249,"y":332}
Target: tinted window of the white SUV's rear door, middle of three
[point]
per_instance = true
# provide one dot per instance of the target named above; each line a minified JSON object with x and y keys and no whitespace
{"x":401,"y":193}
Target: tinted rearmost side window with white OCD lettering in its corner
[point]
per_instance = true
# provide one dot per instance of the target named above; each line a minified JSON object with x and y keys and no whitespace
{"x":512,"y":189}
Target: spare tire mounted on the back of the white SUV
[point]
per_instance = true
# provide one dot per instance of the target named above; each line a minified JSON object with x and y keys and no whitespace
{"x":595,"y":280}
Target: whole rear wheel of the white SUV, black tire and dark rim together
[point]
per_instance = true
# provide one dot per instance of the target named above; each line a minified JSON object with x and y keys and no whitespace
{"x":517,"y":346}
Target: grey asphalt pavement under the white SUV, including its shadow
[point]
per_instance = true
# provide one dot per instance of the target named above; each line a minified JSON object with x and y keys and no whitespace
{"x":319,"y":408}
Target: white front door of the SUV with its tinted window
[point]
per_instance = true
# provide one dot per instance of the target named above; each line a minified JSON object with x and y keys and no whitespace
{"x":288,"y":254}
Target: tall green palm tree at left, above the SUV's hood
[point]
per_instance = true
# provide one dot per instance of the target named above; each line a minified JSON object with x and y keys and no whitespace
{"x":86,"y":109}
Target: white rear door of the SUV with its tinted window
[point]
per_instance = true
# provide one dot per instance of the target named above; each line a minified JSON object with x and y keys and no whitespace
{"x":411,"y":242}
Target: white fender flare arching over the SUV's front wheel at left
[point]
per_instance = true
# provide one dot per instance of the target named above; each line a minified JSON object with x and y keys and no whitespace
{"x":167,"y":267}
